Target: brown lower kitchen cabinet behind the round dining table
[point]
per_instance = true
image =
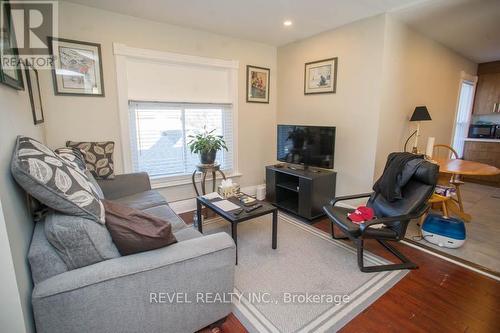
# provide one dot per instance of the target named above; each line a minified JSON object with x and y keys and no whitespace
{"x":483,"y":152}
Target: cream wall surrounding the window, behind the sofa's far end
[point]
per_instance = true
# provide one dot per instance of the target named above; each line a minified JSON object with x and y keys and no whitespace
{"x":96,"y":118}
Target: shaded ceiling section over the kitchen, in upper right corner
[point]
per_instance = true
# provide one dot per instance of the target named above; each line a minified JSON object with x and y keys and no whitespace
{"x":470,"y":27}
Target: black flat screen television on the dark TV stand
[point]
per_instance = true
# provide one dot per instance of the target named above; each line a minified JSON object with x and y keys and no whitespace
{"x":307,"y":145}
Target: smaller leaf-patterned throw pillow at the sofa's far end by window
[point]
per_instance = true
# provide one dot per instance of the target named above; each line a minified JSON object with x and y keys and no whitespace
{"x":98,"y":157}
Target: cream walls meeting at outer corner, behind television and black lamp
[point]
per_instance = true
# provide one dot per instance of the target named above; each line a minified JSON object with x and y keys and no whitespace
{"x":385,"y":69}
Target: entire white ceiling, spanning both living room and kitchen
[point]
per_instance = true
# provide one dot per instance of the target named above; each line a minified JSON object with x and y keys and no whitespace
{"x":470,"y":27}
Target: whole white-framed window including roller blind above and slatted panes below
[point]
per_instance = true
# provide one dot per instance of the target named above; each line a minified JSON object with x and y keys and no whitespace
{"x":171,"y":96}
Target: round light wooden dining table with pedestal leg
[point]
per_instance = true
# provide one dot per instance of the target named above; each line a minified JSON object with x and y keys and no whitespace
{"x":458,"y":167}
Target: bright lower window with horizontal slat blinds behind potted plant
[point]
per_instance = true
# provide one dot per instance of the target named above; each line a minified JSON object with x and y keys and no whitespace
{"x":159,"y":135}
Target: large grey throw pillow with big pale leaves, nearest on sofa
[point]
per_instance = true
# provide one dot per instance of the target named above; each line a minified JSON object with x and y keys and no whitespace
{"x":54,"y":181}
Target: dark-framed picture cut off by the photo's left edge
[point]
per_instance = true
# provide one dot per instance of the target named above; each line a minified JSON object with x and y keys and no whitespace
{"x":10,"y":64}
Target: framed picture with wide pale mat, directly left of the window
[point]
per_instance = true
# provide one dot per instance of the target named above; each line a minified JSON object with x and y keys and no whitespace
{"x":77,"y":67}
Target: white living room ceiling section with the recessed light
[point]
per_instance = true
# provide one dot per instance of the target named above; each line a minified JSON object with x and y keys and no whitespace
{"x":257,"y":20}
